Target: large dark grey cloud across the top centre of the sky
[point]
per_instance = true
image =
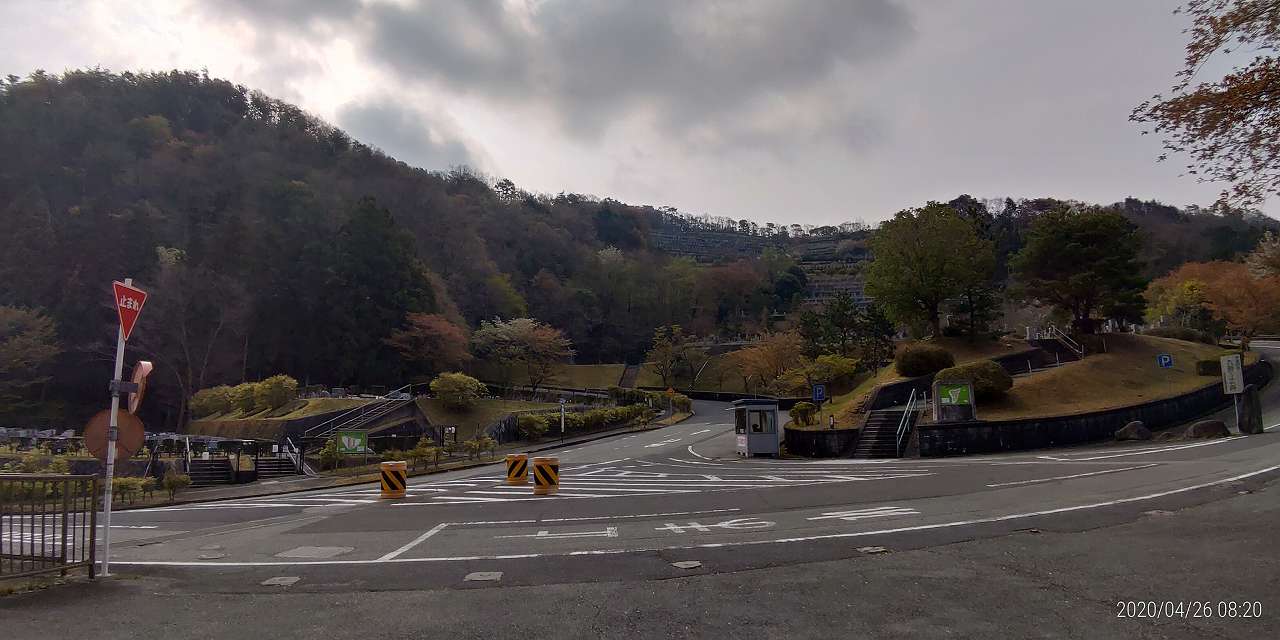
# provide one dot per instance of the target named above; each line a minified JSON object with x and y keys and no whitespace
{"x":712,"y":74}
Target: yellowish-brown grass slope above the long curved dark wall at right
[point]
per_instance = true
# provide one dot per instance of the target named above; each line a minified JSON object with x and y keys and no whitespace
{"x":1127,"y":374}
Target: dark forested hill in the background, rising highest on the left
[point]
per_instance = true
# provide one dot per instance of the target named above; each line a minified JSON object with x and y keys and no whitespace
{"x":273,"y":243}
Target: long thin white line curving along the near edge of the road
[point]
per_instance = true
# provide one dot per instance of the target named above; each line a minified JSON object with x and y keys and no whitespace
{"x":739,"y":543}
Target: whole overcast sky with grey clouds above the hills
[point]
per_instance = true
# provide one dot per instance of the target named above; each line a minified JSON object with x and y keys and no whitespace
{"x":806,"y":111}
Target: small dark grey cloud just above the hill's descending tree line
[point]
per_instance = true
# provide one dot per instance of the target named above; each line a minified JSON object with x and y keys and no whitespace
{"x":406,"y":134}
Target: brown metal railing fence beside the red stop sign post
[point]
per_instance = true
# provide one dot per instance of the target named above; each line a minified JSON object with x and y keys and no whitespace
{"x":48,"y":524}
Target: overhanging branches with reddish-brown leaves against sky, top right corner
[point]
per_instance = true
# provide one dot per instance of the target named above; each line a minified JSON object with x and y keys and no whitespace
{"x":1229,"y":127}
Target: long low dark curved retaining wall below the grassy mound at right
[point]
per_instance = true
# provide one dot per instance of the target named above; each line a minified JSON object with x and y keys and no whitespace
{"x":989,"y":437}
